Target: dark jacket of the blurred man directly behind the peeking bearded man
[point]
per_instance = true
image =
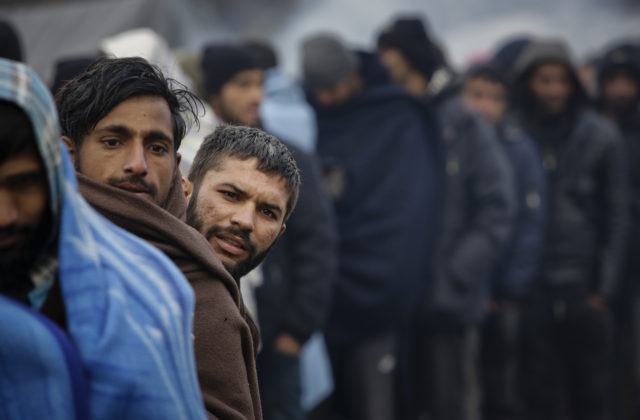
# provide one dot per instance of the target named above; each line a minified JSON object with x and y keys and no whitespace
{"x":300,"y":269}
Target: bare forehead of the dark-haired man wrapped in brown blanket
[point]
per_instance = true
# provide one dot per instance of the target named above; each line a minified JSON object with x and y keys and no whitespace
{"x":140,"y":113}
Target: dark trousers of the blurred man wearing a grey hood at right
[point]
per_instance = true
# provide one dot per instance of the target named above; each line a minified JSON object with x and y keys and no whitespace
{"x":566,"y":355}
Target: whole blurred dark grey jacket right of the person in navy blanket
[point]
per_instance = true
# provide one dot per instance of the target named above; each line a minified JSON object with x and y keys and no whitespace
{"x":477,"y":216}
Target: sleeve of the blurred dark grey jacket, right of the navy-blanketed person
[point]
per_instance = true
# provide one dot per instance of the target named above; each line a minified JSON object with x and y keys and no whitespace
{"x":490,"y":185}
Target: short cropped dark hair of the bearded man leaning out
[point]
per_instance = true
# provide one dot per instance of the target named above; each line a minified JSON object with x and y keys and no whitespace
{"x":274,"y":158}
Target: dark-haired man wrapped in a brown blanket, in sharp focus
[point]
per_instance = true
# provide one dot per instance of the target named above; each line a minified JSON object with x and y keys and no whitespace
{"x":121,"y":120}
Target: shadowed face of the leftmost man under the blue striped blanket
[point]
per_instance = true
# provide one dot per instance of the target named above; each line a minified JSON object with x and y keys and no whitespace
{"x":24,"y":196}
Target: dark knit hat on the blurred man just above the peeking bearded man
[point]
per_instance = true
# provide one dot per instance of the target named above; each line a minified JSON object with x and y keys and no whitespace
{"x":220,"y":63}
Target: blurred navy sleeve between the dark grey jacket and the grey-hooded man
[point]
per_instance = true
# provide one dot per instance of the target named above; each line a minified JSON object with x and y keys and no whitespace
{"x":525,"y":245}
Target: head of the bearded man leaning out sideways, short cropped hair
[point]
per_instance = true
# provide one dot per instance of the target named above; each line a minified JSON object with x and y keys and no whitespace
{"x":242,"y":188}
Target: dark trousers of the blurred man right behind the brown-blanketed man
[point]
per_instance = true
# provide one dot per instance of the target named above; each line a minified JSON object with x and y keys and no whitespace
{"x":280,"y":386}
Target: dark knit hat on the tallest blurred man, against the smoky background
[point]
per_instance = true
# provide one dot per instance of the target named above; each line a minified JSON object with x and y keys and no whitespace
{"x":409,"y":35}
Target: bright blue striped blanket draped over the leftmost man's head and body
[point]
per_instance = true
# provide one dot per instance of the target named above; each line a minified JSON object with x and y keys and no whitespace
{"x":128,"y":308}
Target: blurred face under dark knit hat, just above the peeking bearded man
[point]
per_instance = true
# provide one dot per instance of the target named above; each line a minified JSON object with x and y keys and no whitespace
{"x":239,"y":98}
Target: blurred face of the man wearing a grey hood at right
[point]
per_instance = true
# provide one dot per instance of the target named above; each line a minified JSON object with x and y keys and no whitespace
{"x":550,"y":84}
